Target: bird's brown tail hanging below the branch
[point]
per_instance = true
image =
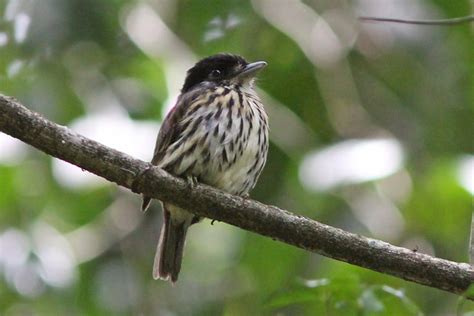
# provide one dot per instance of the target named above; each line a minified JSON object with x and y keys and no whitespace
{"x":169,"y":253}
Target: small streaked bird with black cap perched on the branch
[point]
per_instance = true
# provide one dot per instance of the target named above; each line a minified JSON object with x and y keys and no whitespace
{"x":216,"y":134}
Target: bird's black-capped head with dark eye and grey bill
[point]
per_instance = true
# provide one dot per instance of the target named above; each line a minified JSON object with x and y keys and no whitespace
{"x":222,"y":68}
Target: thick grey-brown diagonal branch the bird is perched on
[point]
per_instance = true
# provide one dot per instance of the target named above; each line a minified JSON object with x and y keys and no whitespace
{"x":270,"y":221}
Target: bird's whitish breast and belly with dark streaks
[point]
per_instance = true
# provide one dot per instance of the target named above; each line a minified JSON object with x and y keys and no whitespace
{"x":227,"y":147}
